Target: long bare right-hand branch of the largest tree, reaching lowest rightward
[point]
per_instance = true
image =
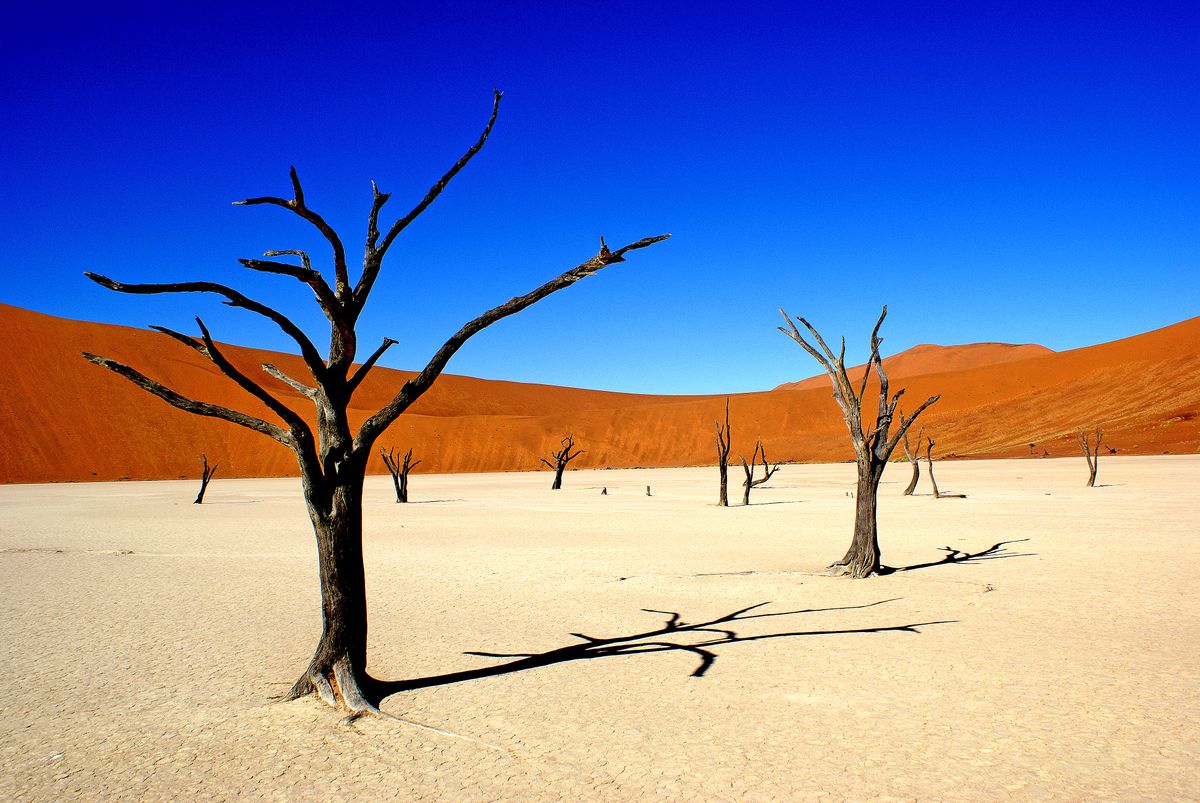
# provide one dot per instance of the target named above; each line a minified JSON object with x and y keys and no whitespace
{"x":413,"y":389}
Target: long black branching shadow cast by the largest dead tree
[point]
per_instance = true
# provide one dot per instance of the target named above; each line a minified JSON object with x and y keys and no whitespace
{"x":669,"y":638}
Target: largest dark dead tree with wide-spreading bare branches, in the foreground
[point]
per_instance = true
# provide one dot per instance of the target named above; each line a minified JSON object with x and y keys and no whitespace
{"x":334,"y":459}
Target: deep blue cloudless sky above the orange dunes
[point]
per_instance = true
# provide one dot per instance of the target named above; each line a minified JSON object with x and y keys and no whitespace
{"x":1009,"y":172}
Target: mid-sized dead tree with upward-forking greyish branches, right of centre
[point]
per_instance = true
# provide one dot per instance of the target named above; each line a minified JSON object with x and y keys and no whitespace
{"x":873,"y":445}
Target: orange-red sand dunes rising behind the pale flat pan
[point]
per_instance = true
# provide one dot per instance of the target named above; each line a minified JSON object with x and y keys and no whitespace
{"x":64,"y":420}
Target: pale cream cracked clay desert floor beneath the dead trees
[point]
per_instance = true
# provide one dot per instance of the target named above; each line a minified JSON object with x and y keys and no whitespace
{"x":143,"y":637}
